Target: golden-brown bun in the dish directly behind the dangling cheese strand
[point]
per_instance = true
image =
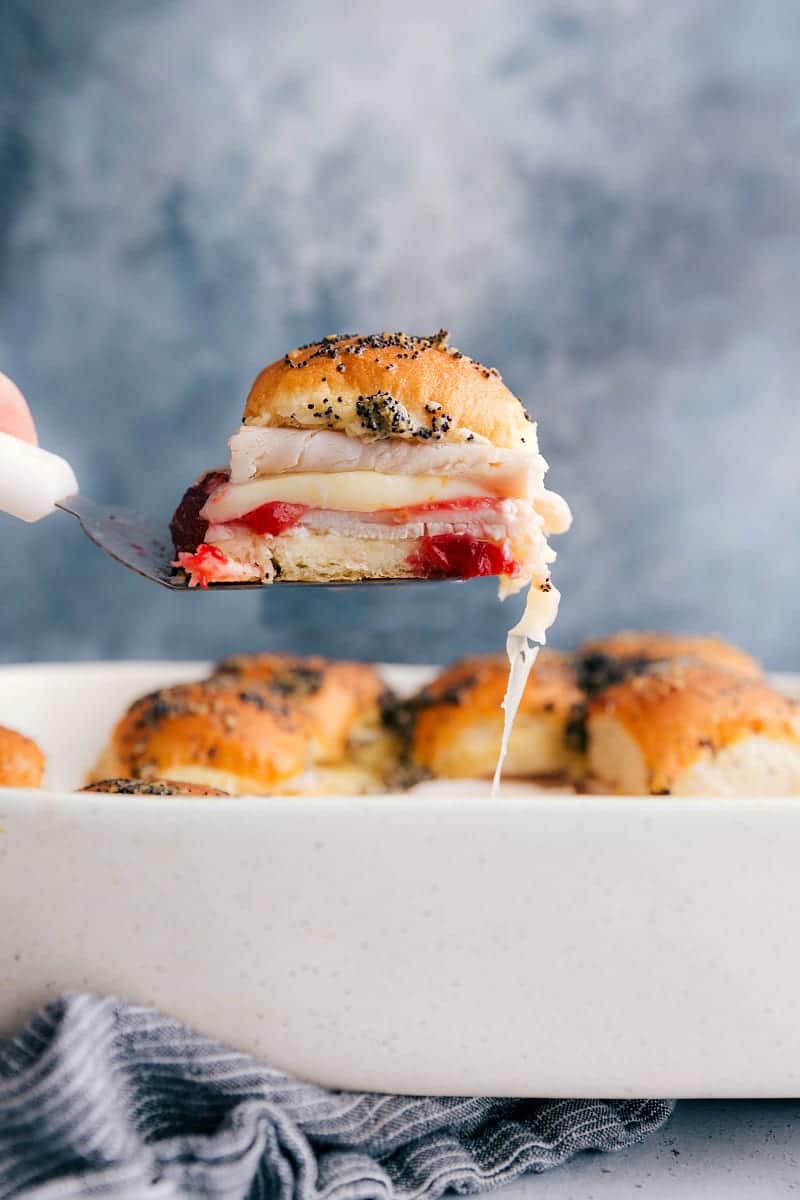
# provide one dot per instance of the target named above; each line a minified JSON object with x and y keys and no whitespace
{"x":458,"y":721}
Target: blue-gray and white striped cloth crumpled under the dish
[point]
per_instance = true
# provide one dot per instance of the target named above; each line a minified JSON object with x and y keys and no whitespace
{"x":100,"y":1099}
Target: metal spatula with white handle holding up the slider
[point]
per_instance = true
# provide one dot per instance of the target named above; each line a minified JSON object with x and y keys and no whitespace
{"x":35,"y":483}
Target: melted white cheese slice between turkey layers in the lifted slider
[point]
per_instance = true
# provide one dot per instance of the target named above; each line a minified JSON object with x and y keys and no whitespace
{"x":350,"y":491}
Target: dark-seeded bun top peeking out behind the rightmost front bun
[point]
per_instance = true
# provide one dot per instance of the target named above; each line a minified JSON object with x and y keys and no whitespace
{"x":607,"y":661}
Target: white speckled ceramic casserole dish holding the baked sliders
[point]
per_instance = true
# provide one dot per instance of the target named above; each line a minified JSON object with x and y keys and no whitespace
{"x":543,"y":945}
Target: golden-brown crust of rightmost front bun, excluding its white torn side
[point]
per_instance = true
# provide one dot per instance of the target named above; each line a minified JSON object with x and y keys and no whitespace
{"x":646,"y":733}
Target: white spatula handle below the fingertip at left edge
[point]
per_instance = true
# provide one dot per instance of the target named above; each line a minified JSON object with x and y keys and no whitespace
{"x":33,"y":481}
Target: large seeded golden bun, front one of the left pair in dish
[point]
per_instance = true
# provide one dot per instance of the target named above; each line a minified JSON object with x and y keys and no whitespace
{"x":226,"y":735}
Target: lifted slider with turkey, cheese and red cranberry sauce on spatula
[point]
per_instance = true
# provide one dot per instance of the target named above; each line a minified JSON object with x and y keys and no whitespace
{"x":376,"y":458}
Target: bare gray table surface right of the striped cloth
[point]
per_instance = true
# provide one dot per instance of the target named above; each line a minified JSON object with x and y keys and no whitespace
{"x":727,"y":1150}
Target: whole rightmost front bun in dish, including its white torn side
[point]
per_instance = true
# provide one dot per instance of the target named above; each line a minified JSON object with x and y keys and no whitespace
{"x":694,"y":730}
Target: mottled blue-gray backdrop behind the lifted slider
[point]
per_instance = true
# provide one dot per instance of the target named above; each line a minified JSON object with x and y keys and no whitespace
{"x":603,"y":200}
